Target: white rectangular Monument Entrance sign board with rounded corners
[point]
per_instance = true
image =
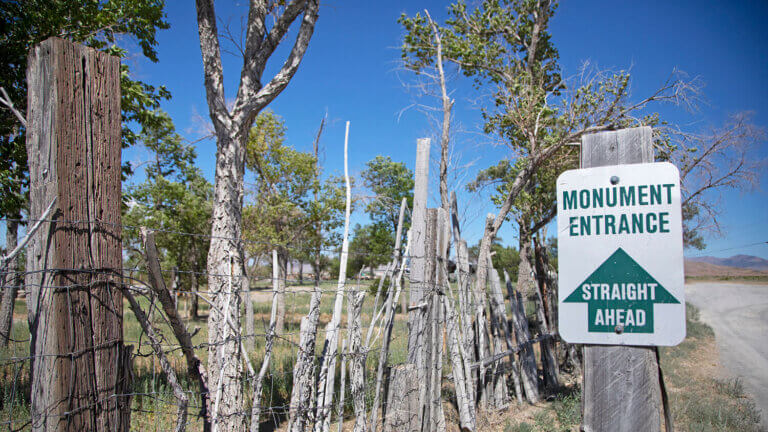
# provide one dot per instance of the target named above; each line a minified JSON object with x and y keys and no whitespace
{"x":620,"y":255}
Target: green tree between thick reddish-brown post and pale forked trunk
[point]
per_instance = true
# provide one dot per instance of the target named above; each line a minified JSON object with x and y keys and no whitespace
{"x":175,"y":197}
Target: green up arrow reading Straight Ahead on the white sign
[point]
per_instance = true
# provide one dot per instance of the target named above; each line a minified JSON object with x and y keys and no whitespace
{"x":620,"y":293}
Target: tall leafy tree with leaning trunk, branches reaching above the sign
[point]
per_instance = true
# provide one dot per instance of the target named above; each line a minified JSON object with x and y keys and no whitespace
{"x":505,"y":46}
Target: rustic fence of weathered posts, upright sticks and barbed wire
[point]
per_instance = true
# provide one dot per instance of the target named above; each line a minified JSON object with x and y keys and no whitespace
{"x":100,"y":342}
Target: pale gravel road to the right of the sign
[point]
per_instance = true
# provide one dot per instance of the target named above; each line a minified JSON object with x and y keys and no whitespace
{"x":738,"y":312}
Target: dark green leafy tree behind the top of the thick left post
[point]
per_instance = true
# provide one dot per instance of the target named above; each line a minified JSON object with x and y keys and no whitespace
{"x":98,"y":24}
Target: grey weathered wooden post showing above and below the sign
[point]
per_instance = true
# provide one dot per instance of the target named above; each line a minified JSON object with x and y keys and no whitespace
{"x":621,"y":383}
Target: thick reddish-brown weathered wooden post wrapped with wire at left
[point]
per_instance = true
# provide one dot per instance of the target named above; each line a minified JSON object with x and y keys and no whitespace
{"x":74,"y":264}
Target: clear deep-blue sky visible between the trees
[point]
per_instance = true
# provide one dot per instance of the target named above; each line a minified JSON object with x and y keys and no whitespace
{"x":351,"y":72}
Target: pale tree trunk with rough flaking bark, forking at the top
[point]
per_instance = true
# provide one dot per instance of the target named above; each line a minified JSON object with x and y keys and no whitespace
{"x":231,"y":127}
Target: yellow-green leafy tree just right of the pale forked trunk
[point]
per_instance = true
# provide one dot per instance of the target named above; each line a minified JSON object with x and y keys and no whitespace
{"x":292,"y":210}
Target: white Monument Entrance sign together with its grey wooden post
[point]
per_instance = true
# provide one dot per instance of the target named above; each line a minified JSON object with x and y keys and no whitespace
{"x":621,"y":275}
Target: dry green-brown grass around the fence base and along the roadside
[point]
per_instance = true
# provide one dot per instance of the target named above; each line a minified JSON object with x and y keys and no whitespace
{"x":701,"y":399}
